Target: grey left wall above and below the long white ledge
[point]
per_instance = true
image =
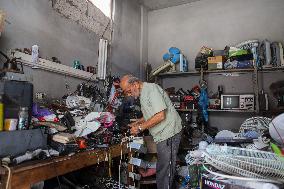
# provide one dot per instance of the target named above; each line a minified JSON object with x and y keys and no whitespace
{"x":35,"y":22}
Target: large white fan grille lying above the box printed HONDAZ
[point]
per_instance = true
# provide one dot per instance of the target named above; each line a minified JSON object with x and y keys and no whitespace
{"x":246,"y":162}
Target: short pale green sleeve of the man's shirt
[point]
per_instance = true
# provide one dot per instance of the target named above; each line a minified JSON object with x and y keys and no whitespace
{"x":156,"y":101}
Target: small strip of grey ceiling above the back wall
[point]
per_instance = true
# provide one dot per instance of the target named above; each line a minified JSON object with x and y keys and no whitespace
{"x":160,"y":4}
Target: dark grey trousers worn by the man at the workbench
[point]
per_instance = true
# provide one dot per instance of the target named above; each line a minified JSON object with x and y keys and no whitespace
{"x":166,"y":165}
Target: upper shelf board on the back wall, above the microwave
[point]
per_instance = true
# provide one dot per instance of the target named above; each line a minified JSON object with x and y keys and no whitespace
{"x":250,"y":70}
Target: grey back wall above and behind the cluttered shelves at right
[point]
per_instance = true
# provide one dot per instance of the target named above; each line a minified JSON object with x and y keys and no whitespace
{"x":215,"y":24}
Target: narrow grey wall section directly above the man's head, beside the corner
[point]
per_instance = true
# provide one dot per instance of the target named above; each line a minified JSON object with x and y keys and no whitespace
{"x":126,"y":38}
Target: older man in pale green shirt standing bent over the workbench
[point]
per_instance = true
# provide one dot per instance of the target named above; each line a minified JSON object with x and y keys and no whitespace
{"x":163,"y":122}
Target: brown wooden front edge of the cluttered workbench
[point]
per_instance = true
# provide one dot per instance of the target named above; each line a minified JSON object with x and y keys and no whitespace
{"x":28,"y":173}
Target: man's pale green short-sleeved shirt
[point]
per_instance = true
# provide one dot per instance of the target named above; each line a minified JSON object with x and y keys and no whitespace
{"x":154,"y":99}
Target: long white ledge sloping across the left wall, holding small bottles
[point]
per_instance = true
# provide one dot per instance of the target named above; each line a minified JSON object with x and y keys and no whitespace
{"x":50,"y":66}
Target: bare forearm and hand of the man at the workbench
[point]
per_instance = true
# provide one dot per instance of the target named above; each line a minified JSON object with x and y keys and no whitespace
{"x":156,"y":119}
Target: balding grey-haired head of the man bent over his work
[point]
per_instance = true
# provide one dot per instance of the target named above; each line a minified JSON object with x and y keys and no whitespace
{"x":130,"y":85}
